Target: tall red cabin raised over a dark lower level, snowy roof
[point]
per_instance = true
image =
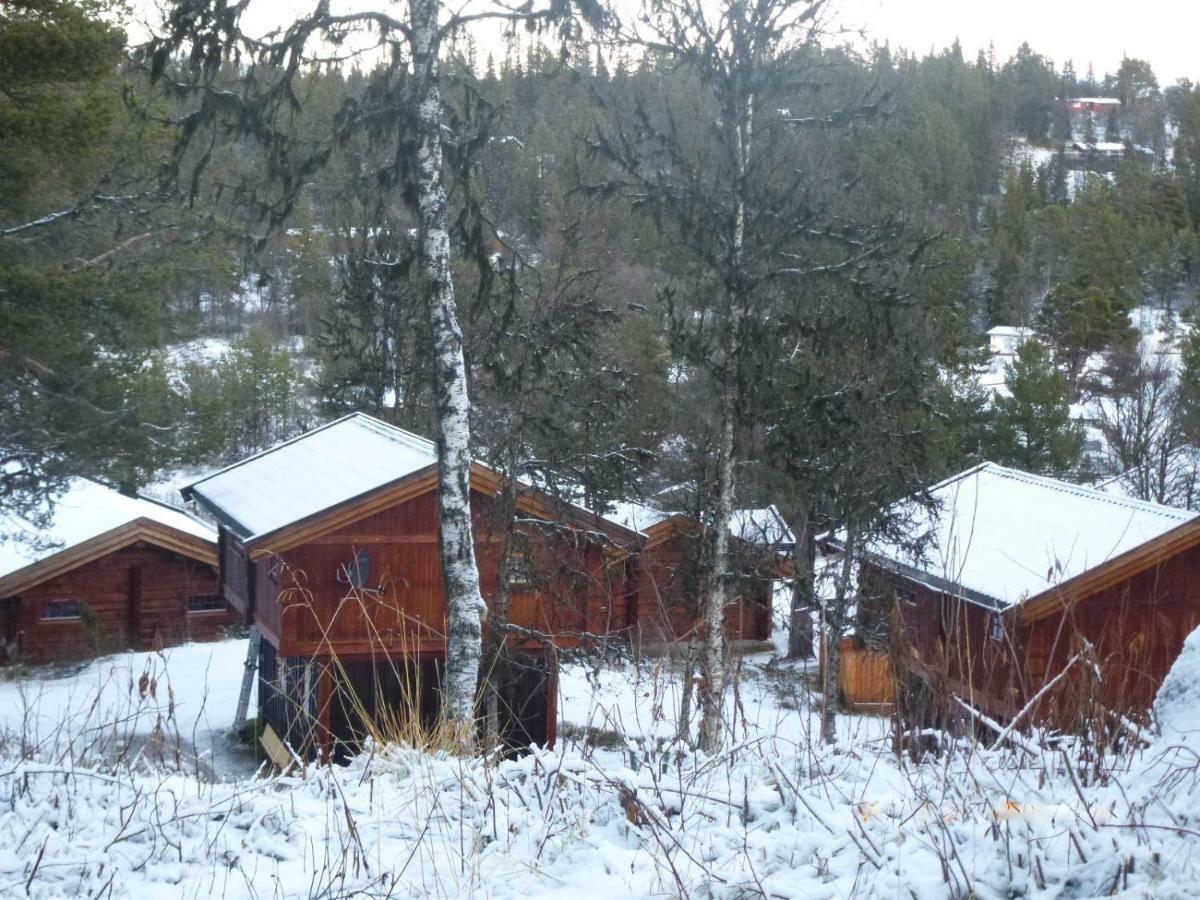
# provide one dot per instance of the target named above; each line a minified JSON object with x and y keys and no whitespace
{"x":329,"y":549}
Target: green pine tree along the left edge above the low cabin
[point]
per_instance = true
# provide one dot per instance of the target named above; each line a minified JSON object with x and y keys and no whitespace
{"x":82,"y":266}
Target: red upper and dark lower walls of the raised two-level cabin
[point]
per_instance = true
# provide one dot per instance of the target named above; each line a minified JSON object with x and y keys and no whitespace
{"x":347,"y":610}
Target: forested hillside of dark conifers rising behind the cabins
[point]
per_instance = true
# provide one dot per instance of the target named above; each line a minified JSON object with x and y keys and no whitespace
{"x":581,"y":289}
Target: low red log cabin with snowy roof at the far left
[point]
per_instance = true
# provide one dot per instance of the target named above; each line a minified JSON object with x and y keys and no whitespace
{"x":107,"y":573}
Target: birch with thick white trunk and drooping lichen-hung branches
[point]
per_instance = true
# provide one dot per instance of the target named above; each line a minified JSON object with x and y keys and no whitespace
{"x":403,"y":116}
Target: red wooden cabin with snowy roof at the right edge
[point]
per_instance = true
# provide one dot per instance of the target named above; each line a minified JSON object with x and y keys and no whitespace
{"x":1037,"y":598}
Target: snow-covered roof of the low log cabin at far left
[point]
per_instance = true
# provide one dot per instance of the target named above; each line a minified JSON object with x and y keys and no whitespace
{"x":86,"y":511}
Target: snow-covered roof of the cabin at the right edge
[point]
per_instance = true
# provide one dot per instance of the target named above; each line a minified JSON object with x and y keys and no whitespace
{"x":1006,"y":536}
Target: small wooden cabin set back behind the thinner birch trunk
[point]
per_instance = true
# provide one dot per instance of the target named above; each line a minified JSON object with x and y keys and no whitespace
{"x":664,"y":605}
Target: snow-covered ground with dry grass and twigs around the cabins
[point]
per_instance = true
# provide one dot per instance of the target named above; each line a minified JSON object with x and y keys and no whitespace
{"x":601,"y":817}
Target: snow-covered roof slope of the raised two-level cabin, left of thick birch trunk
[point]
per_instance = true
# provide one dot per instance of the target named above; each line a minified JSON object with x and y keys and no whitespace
{"x":313,"y":473}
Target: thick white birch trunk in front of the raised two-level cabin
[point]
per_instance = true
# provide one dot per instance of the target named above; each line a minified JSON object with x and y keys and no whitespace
{"x":465,"y":604}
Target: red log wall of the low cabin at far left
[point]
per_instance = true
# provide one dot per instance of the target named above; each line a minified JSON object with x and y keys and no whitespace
{"x":139,"y":597}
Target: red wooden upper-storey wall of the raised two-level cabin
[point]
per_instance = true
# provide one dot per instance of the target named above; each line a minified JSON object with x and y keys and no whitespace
{"x":307,"y":608}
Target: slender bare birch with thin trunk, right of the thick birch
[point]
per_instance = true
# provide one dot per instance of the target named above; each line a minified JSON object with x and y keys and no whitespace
{"x":728,"y":185}
